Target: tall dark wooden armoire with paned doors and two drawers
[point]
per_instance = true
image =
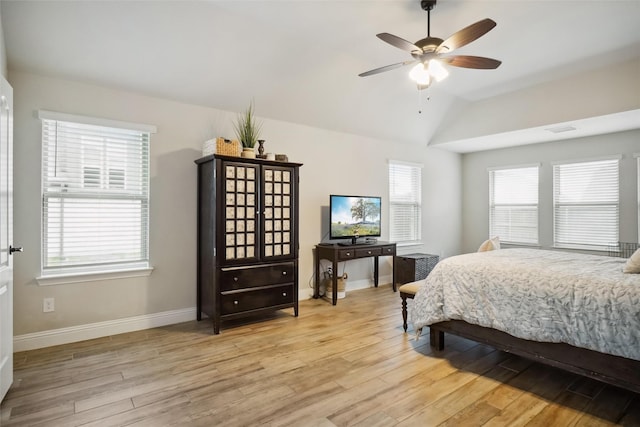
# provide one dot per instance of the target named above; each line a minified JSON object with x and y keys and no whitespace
{"x":247,"y":237}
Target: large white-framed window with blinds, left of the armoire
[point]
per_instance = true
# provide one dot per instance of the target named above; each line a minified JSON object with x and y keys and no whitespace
{"x":95,"y":195}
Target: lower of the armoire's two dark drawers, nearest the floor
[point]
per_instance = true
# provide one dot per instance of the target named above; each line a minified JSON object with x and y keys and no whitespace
{"x":239,"y":301}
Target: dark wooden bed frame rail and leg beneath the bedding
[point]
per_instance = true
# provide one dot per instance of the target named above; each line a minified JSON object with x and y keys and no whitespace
{"x":615,"y":370}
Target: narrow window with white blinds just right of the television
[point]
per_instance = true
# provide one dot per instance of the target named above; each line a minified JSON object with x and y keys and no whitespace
{"x":405,"y":195}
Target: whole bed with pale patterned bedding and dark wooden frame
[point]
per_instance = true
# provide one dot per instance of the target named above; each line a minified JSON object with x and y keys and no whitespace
{"x":573,"y":311}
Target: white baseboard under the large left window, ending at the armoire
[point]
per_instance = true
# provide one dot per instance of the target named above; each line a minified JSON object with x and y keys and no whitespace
{"x":101,"y":329}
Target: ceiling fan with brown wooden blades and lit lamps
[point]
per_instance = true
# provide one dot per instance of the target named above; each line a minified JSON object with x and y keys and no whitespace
{"x":430,"y":53}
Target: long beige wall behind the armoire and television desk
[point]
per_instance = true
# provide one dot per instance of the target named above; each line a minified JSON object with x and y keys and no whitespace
{"x":333,"y":163}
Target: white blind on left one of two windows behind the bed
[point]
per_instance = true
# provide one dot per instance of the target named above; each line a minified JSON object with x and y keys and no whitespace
{"x":513,"y":204}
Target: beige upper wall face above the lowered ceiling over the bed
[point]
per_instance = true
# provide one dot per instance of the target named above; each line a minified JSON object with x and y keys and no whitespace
{"x":603,"y":91}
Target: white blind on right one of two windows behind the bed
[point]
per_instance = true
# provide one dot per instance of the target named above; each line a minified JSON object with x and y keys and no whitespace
{"x":586,"y":204}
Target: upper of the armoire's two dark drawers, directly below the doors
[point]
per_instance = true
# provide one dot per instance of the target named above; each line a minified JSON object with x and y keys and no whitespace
{"x":250,"y":277}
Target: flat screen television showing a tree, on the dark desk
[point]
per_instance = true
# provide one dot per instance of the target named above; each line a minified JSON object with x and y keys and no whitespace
{"x":352,"y":217}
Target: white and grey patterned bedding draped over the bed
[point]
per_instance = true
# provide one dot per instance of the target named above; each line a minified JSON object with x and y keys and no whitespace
{"x":549,"y":296}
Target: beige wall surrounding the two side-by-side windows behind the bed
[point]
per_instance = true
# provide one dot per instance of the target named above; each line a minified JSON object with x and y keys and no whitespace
{"x":475,"y":181}
